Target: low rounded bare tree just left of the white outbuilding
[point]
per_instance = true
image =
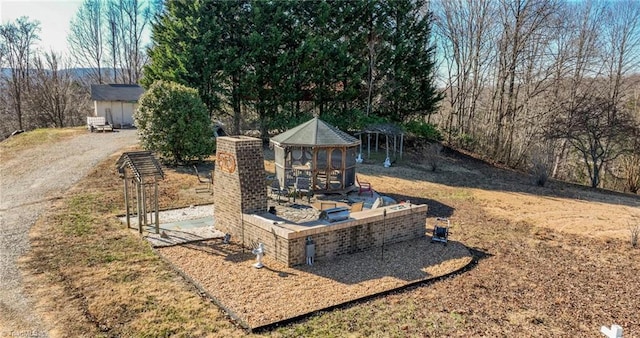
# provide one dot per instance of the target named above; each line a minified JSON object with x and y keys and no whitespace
{"x":55,"y":96}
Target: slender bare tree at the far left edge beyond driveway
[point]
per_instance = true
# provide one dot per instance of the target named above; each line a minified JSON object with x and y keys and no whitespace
{"x":19,"y":37}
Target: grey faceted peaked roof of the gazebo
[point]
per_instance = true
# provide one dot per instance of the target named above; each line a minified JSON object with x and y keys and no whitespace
{"x":315,"y":132}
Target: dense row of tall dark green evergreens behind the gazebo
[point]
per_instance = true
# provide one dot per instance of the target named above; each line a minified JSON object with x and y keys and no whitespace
{"x":277,"y":63}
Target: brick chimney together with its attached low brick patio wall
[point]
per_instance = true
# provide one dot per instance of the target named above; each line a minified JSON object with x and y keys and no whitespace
{"x":240,"y":202}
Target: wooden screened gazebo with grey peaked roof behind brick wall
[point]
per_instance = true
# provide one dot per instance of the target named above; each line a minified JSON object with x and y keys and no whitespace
{"x":319,"y":151}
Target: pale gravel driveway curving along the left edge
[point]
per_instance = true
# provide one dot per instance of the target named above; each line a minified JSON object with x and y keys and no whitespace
{"x":28,"y":183}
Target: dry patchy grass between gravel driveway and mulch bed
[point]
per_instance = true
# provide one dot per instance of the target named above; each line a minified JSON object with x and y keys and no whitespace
{"x":114,"y":283}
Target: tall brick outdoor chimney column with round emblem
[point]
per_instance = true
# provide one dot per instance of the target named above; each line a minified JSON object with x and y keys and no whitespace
{"x":239,"y":182}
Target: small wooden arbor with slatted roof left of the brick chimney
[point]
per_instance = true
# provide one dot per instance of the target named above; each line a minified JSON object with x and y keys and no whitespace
{"x":140,"y":172}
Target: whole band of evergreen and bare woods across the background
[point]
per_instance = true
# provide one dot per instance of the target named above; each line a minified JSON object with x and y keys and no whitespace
{"x":549,"y":86}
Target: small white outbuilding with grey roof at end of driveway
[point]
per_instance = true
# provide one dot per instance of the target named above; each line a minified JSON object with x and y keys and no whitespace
{"x":116,"y":102}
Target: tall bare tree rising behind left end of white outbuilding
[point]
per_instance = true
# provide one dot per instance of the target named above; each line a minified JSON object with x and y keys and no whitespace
{"x":87,"y":36}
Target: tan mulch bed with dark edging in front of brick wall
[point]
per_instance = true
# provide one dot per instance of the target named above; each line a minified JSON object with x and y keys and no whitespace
{"x":275,"y":293}
